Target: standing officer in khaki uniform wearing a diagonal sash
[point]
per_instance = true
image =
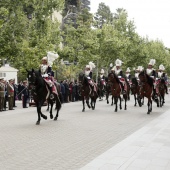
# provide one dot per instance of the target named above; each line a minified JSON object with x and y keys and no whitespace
{"x":10,"y":92}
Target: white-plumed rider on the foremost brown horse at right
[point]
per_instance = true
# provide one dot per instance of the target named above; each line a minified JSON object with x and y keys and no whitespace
{"x":150,"y":71}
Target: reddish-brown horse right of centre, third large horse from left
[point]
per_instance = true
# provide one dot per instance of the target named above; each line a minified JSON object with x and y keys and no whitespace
{"x":114,"y":81}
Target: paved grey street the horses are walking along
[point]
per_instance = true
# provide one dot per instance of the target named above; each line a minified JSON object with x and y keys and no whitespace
{"x":72,"y":141}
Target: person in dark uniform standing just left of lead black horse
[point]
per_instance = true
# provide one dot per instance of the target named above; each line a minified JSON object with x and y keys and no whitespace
{"x":25,"y":94}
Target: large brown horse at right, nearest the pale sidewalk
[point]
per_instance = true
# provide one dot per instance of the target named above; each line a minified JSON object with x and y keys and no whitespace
{"x":146,"y":89}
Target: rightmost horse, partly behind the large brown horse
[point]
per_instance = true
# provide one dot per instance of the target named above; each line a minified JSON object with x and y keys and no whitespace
{"x":162,"y":90}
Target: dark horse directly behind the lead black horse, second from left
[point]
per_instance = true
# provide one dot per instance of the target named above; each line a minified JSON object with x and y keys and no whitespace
{"x":86,"y":93}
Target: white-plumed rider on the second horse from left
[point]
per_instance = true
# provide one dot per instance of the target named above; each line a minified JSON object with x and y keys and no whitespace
{"x":88,"y":73}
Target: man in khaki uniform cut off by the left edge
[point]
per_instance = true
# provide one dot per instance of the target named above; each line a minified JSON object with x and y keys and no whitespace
{"x":2,"y":94}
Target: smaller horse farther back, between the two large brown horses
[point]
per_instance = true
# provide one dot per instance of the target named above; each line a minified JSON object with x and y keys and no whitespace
{"x":135,"y":88}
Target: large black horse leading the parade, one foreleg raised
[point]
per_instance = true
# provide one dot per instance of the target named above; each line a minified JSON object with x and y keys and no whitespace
{"x":40,"y":93}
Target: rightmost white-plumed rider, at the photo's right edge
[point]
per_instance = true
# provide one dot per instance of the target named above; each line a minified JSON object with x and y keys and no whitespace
{"x":161,"y":75}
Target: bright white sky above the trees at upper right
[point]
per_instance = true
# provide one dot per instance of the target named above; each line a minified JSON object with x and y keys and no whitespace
{"x":151,"y":17}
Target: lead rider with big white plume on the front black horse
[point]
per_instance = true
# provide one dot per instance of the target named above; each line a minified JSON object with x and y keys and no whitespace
{"x":47,"y":73}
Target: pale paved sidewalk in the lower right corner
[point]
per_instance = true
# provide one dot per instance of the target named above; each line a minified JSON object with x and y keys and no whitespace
{"x":146,"y":149}
